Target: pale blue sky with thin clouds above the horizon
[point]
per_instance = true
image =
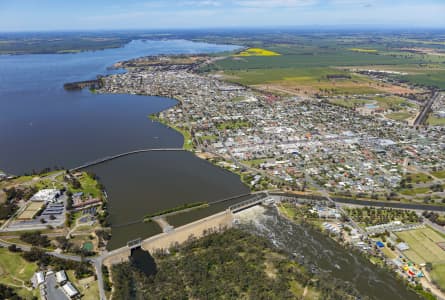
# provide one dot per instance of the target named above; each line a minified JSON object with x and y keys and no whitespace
{"x":52,"y":15}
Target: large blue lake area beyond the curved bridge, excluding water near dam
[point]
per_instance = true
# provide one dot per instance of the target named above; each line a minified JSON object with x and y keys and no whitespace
{"x":42,"y":125}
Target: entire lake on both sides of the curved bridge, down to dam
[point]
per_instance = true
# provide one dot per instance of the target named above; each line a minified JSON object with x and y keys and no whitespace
{"x":42,"y":125}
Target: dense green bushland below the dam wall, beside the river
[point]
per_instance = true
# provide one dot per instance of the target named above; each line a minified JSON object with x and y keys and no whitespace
{"x":230,"y":265}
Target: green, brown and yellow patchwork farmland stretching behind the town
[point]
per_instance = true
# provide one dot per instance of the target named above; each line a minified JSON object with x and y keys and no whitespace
{"x":304,"y":62}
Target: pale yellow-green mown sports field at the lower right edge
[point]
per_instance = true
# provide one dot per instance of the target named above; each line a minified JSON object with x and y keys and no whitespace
{"x":423,"y":245}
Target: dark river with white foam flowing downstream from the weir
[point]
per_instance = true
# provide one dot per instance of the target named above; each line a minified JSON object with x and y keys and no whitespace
{"x":321,"y":254}
